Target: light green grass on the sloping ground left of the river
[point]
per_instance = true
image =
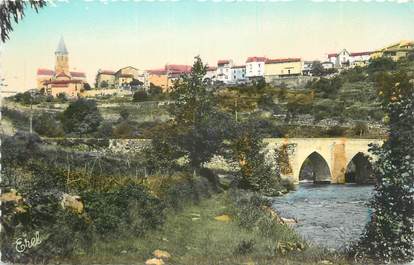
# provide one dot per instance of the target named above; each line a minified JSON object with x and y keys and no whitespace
{"x":193,"y":236}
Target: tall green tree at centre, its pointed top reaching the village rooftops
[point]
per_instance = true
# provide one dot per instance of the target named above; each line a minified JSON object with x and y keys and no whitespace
{"x":200,"y":127}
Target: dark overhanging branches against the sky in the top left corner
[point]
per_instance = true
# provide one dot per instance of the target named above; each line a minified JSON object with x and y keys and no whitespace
{"x":14,"y":11}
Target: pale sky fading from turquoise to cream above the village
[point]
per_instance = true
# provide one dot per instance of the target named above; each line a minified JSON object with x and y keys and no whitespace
{"x":150,"y":34}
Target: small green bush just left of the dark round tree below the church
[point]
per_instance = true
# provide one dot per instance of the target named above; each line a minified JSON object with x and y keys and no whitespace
{"x":46,"y":124}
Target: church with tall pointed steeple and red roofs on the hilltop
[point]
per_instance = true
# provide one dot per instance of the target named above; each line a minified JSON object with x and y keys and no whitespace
{"x":61,"y":80}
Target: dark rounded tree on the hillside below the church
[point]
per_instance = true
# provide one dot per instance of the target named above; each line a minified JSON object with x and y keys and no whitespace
{"x":81,"y":116}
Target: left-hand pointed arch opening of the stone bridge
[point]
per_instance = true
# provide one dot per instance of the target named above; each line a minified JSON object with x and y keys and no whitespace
{"x":315,"y":168}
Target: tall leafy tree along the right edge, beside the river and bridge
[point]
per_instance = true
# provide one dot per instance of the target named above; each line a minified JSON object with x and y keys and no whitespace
{"x":389,"y":236}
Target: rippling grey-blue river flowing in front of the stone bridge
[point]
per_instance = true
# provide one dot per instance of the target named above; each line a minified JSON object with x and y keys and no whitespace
{"x":327,"y":215}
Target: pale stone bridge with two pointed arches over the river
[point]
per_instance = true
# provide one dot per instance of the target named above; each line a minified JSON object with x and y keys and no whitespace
{"x":323,"y":160}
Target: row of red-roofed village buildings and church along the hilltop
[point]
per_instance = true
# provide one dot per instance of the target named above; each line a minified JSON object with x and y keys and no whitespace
{"x":272,"y":70}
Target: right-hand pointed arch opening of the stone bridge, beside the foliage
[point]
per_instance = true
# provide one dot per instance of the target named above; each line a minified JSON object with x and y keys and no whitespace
{"x":359,"y":169}
